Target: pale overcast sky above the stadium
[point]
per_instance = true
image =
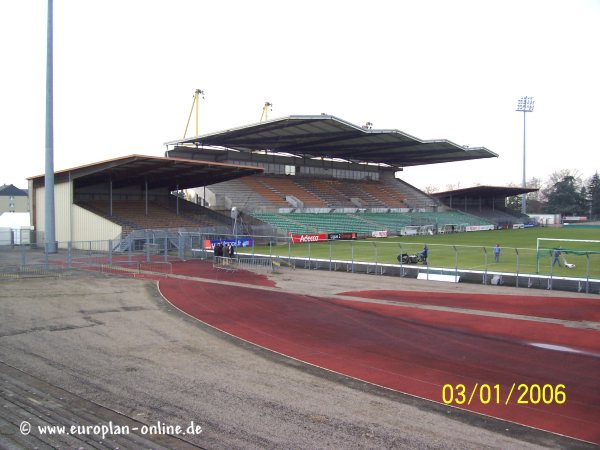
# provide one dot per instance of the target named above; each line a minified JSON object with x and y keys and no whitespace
{"x":125,"y":72}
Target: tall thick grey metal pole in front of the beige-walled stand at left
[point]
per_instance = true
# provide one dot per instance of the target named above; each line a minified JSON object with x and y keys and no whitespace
{"x":50,"y":234}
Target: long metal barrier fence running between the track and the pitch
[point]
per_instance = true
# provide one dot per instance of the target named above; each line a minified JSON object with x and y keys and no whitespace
{"x":522,"y":267}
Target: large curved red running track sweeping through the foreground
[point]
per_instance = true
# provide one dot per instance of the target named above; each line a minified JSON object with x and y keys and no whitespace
{"x":416,"y":351}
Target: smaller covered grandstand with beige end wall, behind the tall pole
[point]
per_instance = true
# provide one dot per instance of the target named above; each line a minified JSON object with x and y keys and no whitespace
{"x":115,"y":199}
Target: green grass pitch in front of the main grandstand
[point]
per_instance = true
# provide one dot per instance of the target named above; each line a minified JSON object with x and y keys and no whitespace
{"x":470,"y":251}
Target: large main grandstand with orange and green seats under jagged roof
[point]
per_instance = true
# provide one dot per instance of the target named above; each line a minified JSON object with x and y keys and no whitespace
{"x":322,"y":174}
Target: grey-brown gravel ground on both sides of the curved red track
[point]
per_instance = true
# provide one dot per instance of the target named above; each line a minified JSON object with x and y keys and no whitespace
{"x":117,"y":344}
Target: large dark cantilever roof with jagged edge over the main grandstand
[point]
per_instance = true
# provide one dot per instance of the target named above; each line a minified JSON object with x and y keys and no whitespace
{"x":330,"y":137}
